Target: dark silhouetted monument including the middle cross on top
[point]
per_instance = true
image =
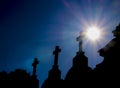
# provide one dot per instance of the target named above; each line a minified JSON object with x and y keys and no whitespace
{"x":54,"y":78}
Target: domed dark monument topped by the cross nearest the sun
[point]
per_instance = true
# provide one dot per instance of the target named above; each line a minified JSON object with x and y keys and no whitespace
{"x":79,"y":73}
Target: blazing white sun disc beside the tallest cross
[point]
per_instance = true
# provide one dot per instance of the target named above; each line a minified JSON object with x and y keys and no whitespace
{"x":93,"y":33}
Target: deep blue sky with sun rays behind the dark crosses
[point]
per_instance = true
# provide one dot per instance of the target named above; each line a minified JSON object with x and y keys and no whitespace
{"x":32,"y":28}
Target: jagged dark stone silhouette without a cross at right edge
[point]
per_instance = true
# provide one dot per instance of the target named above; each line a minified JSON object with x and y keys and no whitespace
{"x":108,"y":71}
